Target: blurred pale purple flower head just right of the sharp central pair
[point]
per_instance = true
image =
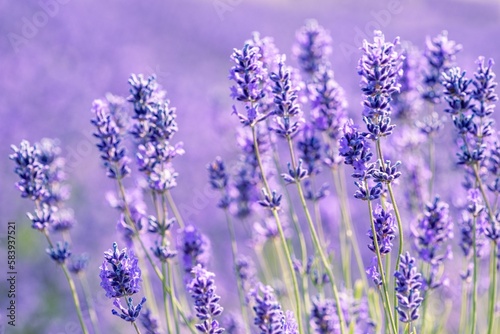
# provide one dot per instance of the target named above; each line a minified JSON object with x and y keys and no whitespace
{"x":328,"y":104}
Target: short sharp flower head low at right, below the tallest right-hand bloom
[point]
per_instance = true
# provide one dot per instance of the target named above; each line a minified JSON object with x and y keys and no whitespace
{"x":408,"y":285}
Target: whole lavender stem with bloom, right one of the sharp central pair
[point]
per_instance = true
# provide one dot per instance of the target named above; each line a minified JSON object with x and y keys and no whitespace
{"x":288,"y":120}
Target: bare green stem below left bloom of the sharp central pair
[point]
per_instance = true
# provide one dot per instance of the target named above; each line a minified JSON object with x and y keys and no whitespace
{"x":286,"y":249}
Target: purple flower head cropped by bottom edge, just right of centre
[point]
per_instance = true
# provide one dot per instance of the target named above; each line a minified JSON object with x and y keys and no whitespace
{"x":269,"y":317}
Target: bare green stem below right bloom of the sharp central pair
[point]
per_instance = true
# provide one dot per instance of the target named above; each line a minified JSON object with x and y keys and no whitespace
{"x":317,"y":245}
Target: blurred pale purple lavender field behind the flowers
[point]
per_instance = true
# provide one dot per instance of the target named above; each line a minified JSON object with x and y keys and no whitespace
{"x":50,"y":76}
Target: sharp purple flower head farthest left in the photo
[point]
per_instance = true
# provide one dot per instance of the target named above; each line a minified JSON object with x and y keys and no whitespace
{"x":31,"y":171}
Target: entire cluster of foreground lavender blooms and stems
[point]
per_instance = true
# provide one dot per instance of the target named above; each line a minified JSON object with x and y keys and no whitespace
{"x":296,"y":258}
